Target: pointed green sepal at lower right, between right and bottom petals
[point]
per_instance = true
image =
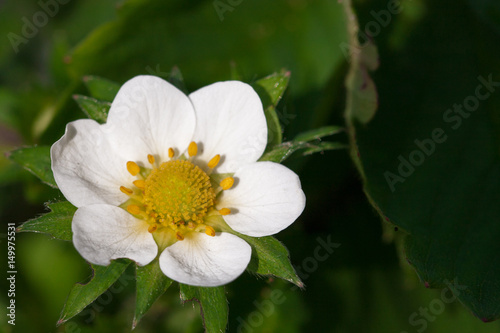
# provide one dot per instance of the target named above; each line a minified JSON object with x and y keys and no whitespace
{"x":270,"y":257}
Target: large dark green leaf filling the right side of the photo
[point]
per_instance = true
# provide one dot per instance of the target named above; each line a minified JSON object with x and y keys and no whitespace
{"x":430,"y":156}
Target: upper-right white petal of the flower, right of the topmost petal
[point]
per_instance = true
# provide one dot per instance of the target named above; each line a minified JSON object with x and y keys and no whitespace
{"x":230,"y":121}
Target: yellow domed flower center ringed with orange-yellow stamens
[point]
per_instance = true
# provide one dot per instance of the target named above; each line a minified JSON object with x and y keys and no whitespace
{"x":176,"y":196}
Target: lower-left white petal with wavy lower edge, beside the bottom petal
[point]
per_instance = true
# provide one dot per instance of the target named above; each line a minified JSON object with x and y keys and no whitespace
{"x":102,"y":233}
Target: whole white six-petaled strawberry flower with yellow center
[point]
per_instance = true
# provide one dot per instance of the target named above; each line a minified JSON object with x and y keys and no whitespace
{"x":168,"y":173}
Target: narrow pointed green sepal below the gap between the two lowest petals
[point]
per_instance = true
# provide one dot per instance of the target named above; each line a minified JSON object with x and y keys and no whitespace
{"x":151,"y":284}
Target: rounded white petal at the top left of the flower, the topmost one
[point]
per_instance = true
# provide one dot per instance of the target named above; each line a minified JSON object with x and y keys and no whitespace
{"x":148,"y":116}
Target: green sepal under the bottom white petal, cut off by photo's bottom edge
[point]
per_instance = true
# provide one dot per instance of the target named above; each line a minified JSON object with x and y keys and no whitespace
{"x":213,"y":305}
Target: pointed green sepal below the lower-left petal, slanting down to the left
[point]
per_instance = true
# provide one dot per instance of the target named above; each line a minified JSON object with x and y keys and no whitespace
{"x":82,"y":295}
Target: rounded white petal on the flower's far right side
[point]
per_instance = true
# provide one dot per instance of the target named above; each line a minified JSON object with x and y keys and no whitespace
{"x":266,"y":198}
